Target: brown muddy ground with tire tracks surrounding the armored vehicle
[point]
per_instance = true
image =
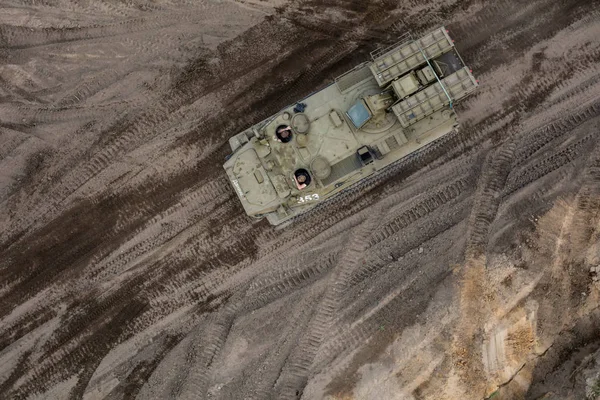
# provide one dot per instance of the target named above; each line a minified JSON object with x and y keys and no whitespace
{"x":129,"y":269}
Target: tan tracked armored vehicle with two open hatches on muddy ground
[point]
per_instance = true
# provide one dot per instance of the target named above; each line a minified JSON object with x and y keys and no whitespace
{"x":370,"y":117}
